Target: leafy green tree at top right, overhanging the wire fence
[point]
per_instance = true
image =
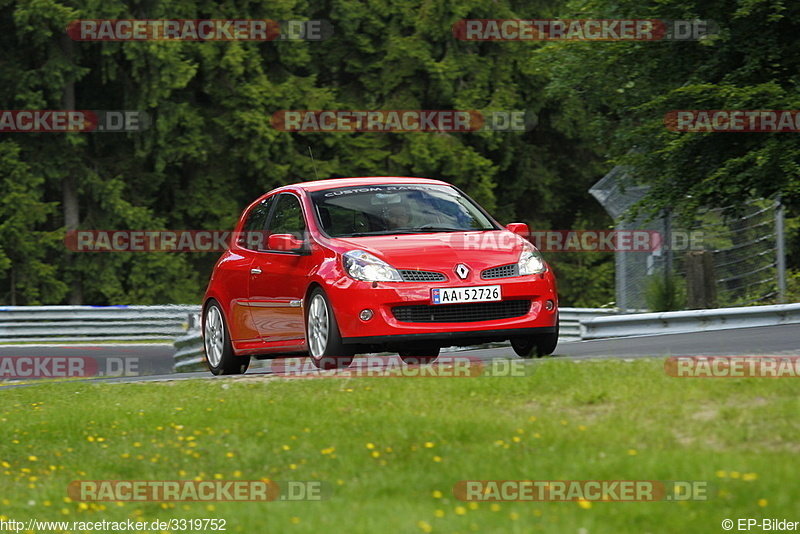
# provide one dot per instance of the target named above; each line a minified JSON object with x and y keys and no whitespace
{"x":621,"y":92}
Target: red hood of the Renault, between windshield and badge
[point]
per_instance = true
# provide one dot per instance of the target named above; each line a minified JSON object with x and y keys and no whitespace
{"x":439,"y":251}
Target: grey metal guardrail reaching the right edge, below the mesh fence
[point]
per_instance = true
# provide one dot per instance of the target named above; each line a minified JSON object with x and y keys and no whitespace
{"x":642,"y":324}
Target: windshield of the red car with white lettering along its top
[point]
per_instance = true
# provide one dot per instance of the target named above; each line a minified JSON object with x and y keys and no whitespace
{"x":397,"y":209}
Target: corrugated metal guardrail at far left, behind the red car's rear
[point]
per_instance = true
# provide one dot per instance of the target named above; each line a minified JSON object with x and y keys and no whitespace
{"x":92,"y":323}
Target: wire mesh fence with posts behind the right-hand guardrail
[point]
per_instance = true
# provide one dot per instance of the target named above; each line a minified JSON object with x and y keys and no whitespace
{"x":744,"y":243}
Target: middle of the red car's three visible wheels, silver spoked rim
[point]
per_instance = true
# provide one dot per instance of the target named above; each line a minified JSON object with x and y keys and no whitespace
{"x":325,"y":347}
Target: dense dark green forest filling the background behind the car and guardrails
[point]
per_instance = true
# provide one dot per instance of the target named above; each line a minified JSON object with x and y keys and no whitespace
{"x":211,"y":148}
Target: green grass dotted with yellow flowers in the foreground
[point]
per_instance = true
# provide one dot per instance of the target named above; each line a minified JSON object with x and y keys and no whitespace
{"x":590,"y":420}
